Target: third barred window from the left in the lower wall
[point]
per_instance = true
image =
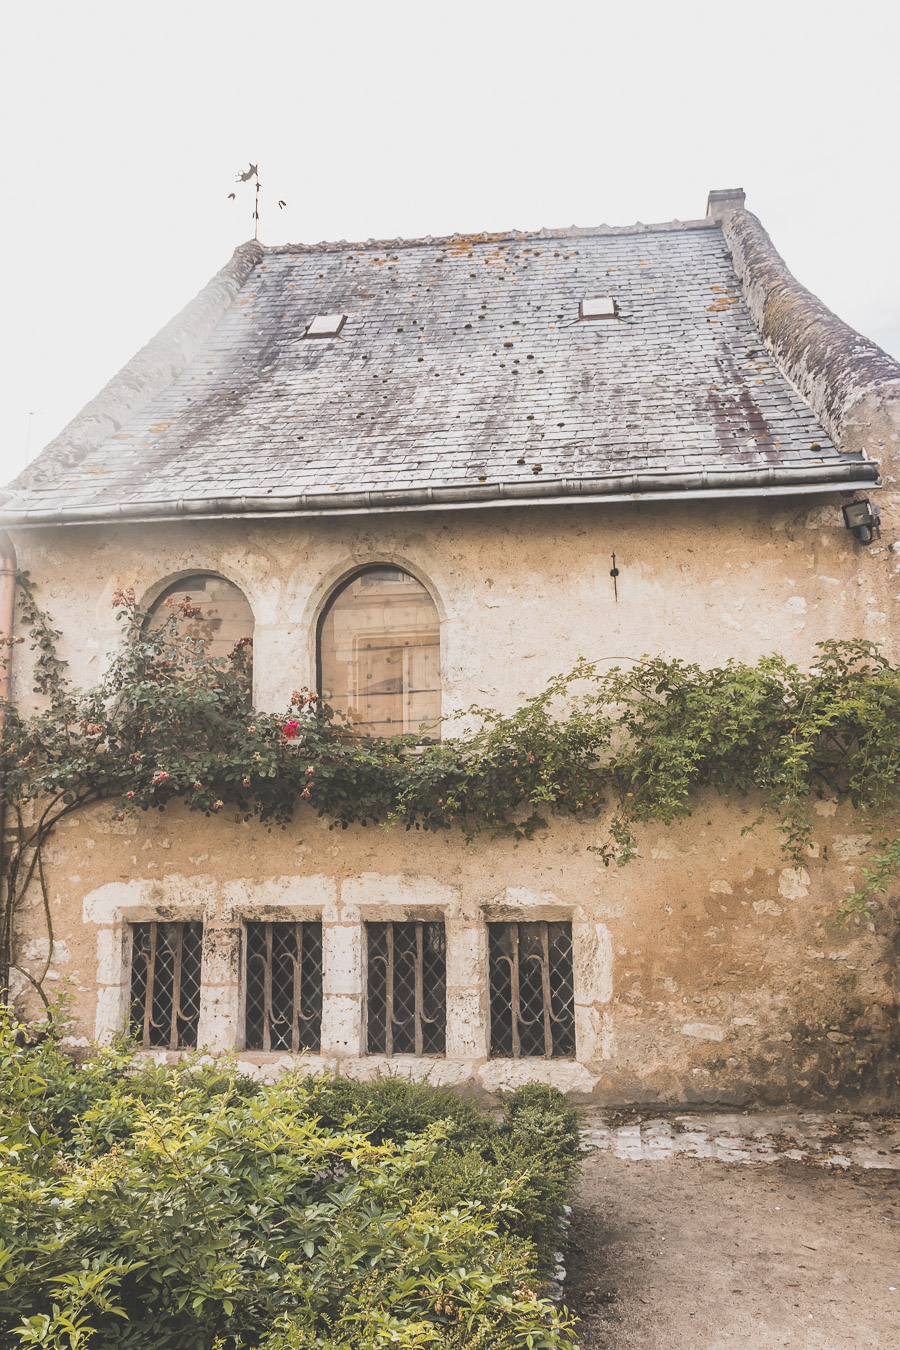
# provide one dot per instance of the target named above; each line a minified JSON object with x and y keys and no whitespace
{"x":407,"y":989}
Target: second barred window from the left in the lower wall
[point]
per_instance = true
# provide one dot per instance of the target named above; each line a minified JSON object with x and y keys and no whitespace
{"x":284,"y":1004}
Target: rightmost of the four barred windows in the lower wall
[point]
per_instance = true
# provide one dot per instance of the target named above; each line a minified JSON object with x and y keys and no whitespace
{"x":531,"y":990}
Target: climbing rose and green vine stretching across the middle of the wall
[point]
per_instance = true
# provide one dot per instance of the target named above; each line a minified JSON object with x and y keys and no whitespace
{"x":628,"y":743}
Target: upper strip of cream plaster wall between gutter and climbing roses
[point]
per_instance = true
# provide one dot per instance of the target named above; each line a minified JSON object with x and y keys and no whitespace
{"x":522,"y":593}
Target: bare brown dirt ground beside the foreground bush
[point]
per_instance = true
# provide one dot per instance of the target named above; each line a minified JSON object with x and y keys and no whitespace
{"x":698,"y":1255}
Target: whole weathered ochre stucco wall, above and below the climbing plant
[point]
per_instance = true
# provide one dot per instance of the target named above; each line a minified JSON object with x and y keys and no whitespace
{"x":705,"y":971}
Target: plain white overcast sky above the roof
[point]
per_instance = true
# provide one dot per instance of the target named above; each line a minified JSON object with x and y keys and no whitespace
{"x":126,"y":125}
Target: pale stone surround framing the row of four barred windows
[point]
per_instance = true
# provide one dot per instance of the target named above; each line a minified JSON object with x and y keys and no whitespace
{"x":225,"y":907}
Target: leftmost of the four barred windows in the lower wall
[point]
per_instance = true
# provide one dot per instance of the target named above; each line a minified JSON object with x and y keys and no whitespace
{"x":165,"y":985}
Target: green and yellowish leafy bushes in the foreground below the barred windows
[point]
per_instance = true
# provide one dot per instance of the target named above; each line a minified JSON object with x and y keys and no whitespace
{"x":191,"y":1209}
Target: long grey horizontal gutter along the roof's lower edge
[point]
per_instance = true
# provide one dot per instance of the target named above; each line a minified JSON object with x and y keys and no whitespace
{"x":859,"y":476}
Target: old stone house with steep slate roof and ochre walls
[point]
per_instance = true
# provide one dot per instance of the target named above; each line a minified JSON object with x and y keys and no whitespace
{"x":405,"y":466}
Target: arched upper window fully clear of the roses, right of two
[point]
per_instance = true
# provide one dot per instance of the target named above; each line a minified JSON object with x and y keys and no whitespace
{"x":380,"y":654}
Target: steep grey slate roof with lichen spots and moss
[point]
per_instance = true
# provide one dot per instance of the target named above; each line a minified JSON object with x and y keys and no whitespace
{"x":461,"y":369}
